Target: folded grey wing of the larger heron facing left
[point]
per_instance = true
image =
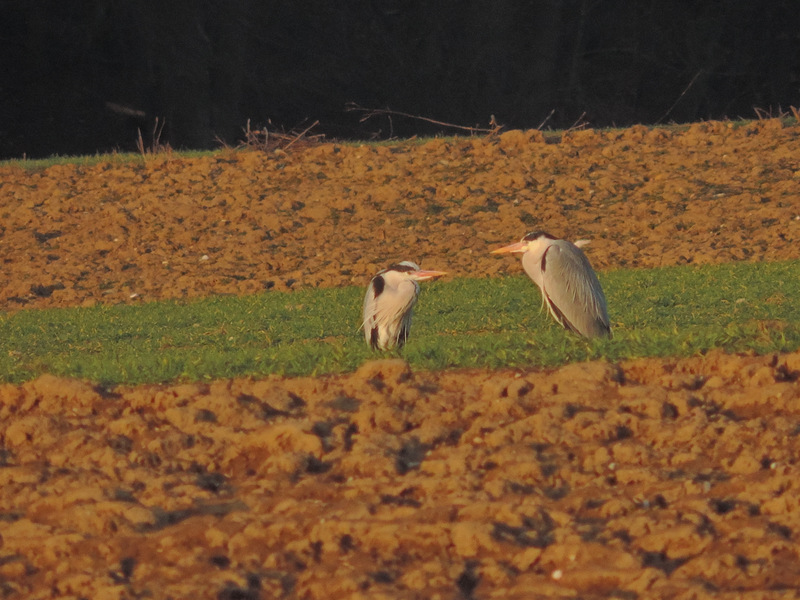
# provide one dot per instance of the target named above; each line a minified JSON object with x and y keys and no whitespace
{"x":573,"y":292}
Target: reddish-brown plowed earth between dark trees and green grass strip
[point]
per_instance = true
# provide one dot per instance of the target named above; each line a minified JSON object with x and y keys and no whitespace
{"x":331,"y":215}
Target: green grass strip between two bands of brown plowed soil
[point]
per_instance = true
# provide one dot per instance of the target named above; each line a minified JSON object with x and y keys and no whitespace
{"x":675,"y":311}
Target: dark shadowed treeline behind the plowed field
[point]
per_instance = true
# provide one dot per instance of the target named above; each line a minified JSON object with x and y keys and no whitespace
{"x":83,"y":76}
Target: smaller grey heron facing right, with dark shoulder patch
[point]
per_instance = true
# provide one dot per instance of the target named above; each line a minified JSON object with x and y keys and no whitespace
{"x":389,"y":303}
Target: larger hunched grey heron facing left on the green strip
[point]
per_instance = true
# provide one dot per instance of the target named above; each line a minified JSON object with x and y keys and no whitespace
{"x":568,"y":283}
